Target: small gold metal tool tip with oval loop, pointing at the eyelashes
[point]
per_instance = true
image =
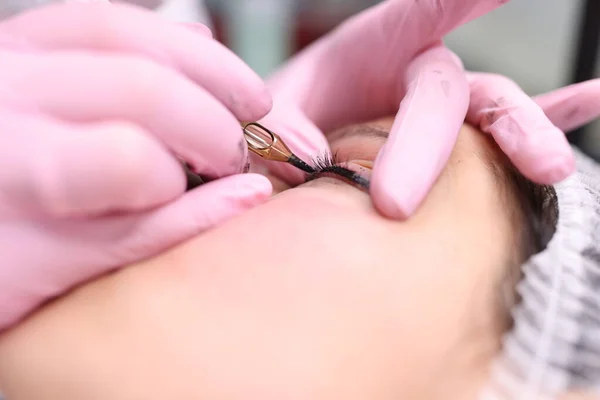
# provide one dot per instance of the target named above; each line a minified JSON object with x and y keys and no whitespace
{"x":267,"y":145}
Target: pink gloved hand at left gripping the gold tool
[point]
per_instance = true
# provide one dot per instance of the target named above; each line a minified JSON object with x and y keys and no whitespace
{"x":97,"y":101}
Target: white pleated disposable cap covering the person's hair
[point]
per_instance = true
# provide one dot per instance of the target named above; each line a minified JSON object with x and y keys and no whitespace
{"x":554,"y":346}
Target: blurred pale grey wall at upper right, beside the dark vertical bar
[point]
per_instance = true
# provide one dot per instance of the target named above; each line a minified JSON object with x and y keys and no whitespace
{"x":531,"y":41}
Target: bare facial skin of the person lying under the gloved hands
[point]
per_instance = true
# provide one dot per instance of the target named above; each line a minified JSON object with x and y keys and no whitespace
{"x":312,"y":295}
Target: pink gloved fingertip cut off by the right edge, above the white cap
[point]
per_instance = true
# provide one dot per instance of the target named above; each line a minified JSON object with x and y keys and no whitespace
{"x":573,"y":106}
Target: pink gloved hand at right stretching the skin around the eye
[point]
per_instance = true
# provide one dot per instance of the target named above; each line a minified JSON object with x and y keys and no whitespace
{"x":390,"y":59}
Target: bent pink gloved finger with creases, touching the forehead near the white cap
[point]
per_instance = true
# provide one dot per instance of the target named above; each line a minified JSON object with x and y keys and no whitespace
{"x":538,"y":149}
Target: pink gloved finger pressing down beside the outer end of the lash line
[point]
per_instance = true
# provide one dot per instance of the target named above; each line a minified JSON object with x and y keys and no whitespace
{"x":423,"y":135}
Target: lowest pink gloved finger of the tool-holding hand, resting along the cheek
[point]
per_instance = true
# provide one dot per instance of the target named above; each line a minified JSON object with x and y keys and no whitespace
{"x":95,"y":247}
